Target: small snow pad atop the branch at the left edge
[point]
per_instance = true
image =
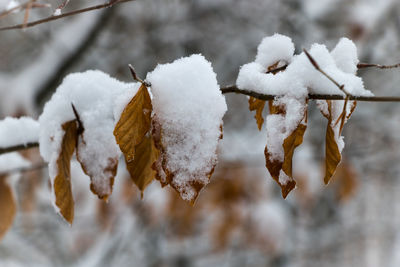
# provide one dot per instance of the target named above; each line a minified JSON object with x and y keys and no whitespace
{"x":15,"y":131}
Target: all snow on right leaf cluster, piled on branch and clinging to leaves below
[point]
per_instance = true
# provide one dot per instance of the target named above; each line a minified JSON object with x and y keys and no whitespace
{"x":300,"y":78}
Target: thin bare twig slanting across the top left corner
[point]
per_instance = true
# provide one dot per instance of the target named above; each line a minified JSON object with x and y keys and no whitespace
{"x":68,"y":14}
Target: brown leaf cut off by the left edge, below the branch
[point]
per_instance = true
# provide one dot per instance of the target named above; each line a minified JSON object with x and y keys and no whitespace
{"x":7,"y":206}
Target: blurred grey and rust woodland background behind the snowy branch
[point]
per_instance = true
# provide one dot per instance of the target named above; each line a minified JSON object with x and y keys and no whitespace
{"x":240,"y":218}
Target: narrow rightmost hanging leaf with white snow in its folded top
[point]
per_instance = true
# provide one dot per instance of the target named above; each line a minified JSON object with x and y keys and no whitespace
{"x":337,"y":114}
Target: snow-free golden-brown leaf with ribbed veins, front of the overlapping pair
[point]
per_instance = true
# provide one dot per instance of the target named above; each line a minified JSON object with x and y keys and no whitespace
{"x":134,"y":123}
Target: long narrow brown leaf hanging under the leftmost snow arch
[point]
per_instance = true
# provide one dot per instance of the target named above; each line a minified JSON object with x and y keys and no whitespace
{"x":62,"y":182}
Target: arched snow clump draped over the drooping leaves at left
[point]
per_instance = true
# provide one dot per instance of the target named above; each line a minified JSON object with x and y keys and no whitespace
{"x":94,"y":95}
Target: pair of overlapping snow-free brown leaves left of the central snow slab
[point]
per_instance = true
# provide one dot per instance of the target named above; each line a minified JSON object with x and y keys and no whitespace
{"x":130,"y":133}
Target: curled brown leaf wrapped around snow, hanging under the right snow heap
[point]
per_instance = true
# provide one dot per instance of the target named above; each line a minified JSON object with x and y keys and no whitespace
{"x":281,"y":171}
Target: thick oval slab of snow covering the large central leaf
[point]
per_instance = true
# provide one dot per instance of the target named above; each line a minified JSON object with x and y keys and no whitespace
{"x":188,"y":104}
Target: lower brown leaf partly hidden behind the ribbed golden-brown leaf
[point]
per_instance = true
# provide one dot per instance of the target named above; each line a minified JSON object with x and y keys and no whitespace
{"x":140,"y":167}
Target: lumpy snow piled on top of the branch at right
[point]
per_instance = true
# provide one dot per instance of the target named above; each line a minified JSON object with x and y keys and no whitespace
{"x":300,"y":77}
